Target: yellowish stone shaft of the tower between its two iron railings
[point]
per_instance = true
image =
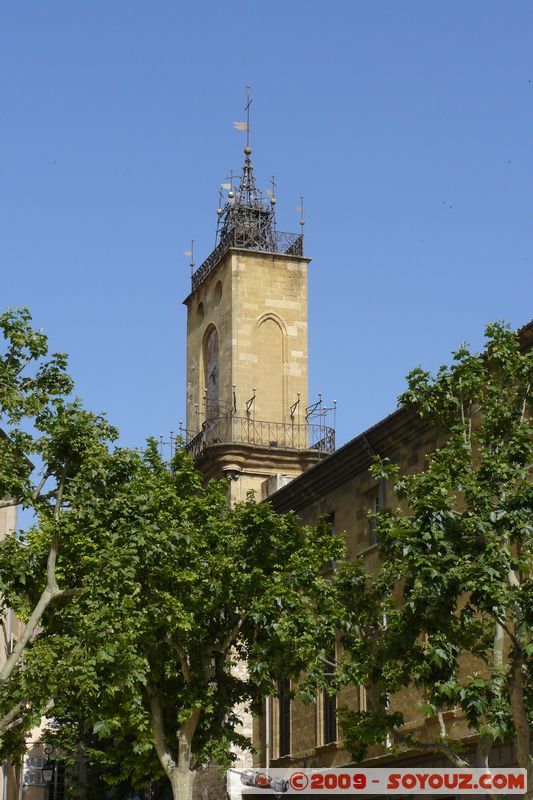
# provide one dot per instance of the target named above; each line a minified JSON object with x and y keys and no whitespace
{"x":255,"y":305}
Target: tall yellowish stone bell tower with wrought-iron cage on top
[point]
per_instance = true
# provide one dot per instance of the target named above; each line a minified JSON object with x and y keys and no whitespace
{"x":247,"y":382}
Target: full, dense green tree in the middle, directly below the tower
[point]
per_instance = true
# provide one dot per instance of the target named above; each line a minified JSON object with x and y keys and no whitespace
{"x":179,"y":589}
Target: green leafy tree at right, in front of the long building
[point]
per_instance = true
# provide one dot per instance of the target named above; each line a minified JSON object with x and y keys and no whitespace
{"x":456,"y":576}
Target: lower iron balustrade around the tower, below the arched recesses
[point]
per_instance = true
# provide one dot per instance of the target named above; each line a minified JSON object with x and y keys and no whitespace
{"x":244,"y":430}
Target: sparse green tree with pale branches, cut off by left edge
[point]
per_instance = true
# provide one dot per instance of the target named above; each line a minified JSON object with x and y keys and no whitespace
{"x":38,"y":421}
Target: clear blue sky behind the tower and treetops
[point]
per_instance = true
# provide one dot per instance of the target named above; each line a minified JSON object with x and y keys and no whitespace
{"x":406,"y":125}
